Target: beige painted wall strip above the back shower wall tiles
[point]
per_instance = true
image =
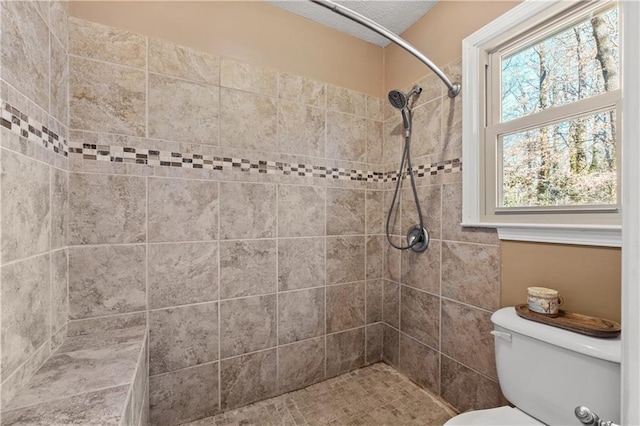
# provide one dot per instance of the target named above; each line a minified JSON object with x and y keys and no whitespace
{"x":249,"y":31}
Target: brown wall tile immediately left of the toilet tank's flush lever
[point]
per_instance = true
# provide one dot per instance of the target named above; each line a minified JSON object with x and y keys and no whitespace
{"x":466,"y":337}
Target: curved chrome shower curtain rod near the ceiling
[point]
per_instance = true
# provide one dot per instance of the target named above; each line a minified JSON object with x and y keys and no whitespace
{"x":454,"y":88}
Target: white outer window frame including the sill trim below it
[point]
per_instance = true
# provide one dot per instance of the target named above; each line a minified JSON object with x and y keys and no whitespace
{"x":474,"y":57}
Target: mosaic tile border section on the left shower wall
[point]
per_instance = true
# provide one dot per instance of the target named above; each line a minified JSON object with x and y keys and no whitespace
{"x":19,"y":123}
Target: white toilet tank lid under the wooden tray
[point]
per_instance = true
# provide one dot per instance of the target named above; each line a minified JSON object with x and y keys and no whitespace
{"x":606,"y":349}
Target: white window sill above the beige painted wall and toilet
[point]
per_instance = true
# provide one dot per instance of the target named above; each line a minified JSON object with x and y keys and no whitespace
{"x":586,"y":235}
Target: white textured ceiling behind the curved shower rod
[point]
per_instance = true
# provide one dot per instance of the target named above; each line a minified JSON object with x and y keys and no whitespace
{"x":395,"y":15}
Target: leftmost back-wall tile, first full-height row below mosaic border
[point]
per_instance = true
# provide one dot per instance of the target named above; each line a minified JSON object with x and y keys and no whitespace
{"x":106,"y":209}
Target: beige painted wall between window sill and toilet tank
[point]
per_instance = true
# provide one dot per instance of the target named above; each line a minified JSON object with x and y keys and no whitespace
{"x":587,"y":277}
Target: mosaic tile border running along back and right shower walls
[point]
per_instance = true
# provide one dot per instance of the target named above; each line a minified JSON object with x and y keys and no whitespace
{"x":119,"y":154}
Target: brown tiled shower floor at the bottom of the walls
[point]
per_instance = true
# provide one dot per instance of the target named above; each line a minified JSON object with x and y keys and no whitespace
{"x":374,"y":395}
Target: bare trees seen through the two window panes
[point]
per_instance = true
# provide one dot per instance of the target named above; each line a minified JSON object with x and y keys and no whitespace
{"x":571,"y":162}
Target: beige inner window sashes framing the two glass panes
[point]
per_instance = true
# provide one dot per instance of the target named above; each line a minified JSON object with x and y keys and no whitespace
{"x":494,"y":127}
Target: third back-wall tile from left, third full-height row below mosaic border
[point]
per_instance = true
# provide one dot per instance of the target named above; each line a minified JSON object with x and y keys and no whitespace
{"x":247,"y":325}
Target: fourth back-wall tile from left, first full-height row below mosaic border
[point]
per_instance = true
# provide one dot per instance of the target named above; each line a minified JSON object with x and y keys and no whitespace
{"x":301,"y":211}
